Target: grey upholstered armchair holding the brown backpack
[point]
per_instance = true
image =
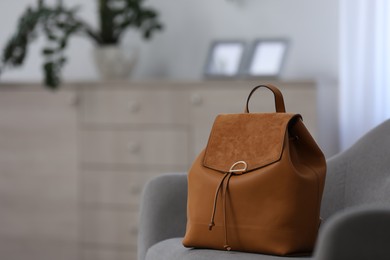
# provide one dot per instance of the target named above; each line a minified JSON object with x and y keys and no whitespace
{"x":355,"y":207}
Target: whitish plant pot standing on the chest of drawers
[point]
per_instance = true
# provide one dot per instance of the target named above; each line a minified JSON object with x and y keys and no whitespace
{"x":114,"y":62}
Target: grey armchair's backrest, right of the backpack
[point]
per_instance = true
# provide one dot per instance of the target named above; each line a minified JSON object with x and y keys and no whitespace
{"x":361,"y":174}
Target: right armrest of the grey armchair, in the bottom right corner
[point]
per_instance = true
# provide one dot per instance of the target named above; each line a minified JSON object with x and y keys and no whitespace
{"x":358,"y":233}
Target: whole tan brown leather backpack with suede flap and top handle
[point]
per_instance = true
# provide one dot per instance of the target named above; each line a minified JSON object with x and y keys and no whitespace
{"x":257,"y":187}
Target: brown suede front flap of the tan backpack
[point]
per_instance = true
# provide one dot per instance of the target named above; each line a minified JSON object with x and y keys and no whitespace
{"x":254,"y":138}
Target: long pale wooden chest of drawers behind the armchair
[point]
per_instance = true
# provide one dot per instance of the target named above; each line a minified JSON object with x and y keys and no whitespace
{"x":102,"y":142}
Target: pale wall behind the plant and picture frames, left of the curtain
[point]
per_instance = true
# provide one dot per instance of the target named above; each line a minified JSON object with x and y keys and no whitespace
{"x":180,"y":51}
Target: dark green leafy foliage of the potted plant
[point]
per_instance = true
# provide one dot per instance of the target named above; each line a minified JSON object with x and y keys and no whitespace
{"x":59,"y":23}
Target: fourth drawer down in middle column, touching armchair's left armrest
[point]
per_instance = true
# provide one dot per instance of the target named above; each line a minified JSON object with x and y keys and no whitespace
{"x":103,"y":227}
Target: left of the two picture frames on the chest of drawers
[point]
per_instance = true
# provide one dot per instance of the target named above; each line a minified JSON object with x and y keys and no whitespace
{"x":225,"y":59}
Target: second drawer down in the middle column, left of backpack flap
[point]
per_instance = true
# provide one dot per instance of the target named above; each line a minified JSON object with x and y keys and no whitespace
{"x":138,"y":147}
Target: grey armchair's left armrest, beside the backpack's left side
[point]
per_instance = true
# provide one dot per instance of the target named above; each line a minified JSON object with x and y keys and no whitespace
{"x":163,"y":211}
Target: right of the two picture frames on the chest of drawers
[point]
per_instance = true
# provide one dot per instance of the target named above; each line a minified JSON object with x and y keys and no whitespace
{"x":266,"y":58}
